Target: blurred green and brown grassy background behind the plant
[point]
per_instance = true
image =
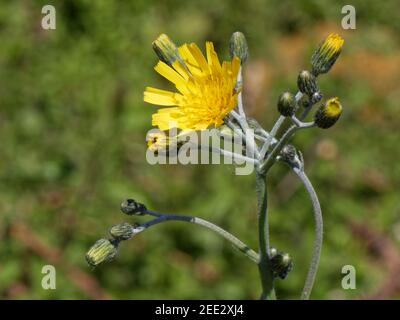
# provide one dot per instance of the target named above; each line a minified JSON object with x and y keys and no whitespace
{"x":73,"y":126}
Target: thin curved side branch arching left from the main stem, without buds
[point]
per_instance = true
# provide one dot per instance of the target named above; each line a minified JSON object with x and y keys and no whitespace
{"x":162,"y":217}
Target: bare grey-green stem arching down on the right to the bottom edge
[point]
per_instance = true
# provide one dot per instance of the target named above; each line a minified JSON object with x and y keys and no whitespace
{"x":312,"y":271}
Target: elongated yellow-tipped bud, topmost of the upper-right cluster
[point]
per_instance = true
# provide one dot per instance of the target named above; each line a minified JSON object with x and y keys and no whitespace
{"x":326,"y":54}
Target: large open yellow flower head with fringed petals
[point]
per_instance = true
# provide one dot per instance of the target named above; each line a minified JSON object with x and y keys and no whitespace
{"x":205,"y":90}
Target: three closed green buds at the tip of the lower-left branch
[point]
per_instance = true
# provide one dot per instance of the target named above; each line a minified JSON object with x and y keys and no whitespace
{"x":105,"y":250}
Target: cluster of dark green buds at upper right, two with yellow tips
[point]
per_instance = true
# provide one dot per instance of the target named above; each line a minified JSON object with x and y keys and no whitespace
{"x":309,"y":94}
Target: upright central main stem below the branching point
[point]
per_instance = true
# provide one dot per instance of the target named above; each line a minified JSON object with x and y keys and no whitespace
{"x":264,"y":265}
